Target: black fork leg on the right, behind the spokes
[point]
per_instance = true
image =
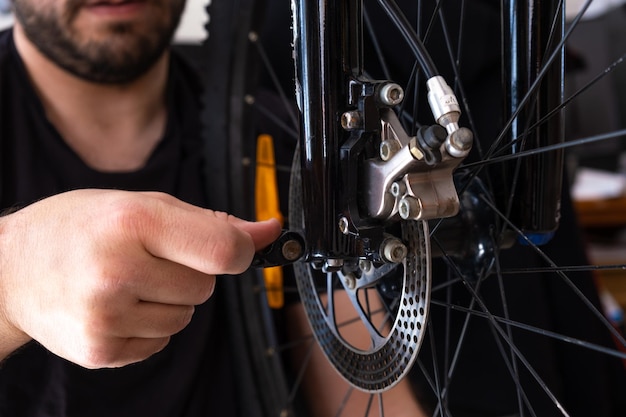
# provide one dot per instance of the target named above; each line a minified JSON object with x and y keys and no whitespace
{"x":530,"y":34}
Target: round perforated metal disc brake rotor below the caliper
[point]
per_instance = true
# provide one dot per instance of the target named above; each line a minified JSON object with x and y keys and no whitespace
{"x":389,"y":357}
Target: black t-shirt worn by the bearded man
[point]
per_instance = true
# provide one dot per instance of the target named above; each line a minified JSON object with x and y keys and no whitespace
{"x":192,"y":375}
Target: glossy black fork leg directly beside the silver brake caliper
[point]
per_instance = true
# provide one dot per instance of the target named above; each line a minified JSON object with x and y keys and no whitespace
{"x":327,"y":52}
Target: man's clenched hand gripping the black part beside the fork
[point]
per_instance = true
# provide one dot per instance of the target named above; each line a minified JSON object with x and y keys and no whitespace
{"x":104,"y":278}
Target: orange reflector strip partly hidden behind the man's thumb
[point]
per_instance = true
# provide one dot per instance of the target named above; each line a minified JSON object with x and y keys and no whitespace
{"x":267,"y":206}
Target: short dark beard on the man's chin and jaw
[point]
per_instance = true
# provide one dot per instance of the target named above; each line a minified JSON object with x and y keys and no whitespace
{"x":121,"y":53}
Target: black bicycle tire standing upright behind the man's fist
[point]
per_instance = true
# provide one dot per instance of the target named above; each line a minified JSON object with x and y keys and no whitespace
{"x":261,"y":381}
